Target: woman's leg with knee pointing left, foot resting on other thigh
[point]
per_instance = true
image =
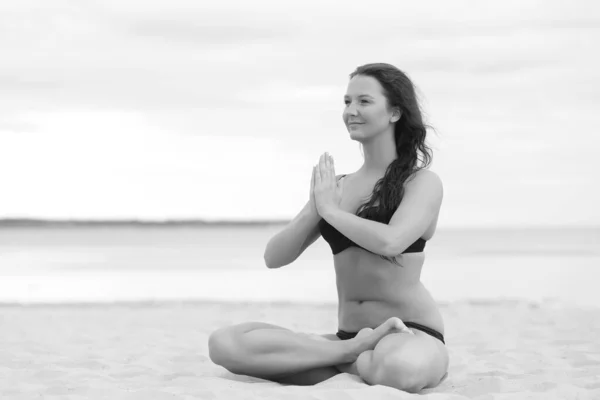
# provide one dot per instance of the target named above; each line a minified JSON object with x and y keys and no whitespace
{"x":272,"y":352}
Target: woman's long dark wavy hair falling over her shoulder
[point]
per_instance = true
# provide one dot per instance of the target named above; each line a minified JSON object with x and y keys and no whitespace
{"x":409,"y":133}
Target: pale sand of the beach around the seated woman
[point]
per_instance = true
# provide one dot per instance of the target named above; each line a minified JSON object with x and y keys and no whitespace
{"x":498,"y":350}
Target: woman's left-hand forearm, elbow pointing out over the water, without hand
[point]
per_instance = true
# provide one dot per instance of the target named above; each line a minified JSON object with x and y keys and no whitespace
{"x":287,"y":245}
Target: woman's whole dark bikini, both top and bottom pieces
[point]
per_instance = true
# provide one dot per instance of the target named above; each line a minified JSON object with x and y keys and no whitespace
{"x":338,"y":242}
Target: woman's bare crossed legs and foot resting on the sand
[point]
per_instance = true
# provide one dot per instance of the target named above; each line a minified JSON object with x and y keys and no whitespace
{"x":379,"y":356}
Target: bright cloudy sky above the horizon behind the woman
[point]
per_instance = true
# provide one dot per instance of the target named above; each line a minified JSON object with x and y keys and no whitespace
{"x":218,"y":110}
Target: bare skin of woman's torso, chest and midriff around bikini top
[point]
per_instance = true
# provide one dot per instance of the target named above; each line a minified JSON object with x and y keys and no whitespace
{"x":371,"y":289}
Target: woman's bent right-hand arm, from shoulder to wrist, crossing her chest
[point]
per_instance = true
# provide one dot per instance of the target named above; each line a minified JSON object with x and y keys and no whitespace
{"x":421,"y":203}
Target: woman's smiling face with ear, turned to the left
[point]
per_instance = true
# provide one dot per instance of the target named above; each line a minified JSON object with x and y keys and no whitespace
{"x":367,"y":112}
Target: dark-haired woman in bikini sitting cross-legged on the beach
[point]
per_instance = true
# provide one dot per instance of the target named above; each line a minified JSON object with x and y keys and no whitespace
{"x":376,"y":221}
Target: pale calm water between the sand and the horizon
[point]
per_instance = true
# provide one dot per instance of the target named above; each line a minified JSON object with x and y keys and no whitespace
{"x":104,"y":264}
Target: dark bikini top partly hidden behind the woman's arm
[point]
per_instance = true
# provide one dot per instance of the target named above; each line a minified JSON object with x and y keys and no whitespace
{"x":338,"y":242}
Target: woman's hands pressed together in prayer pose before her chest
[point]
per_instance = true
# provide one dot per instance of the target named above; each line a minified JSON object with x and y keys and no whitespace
{"x":326,"y":190}
